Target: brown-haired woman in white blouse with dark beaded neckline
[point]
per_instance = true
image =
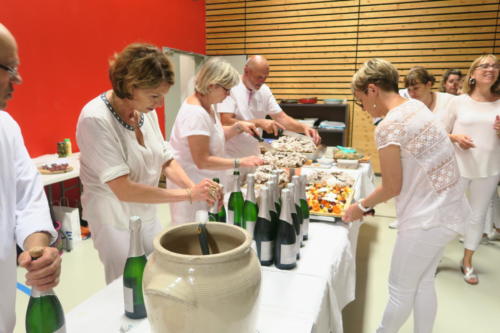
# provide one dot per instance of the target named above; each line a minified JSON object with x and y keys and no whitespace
{"x":123,"y":154}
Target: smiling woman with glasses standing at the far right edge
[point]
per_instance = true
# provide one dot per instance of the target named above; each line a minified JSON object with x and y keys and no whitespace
{"x":473,"y":121}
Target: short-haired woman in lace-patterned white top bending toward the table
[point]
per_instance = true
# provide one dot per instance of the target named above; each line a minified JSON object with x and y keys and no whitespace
{"x":419,"y":168}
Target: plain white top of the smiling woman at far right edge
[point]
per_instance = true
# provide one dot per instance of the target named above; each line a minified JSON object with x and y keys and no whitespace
{"x":467,"y":116}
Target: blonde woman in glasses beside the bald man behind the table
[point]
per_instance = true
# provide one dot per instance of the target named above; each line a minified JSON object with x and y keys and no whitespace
{"x":198,"y":137}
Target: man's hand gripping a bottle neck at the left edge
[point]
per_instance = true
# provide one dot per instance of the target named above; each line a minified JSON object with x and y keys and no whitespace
{"x":43,"y":272}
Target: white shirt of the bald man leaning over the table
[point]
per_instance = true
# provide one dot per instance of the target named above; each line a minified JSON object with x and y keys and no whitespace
{"x":247,"y":105}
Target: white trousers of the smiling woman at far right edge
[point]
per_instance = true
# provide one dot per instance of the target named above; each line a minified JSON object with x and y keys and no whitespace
{"x":480,"y":193}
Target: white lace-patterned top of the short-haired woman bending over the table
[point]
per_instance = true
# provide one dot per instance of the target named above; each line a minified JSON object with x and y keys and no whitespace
{"x":432,"y":193}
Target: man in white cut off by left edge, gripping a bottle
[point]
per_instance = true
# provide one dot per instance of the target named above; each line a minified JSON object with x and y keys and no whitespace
{"x":24,"y":211}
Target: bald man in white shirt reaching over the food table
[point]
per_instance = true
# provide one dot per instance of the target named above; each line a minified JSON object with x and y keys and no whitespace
{"x":252,"y":100}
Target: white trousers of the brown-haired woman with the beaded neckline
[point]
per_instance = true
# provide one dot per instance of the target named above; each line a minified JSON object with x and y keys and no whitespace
{"x":112,"y":244}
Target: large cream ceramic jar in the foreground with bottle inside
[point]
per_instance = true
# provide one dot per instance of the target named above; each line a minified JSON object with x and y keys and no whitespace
{"x":186,"y":292}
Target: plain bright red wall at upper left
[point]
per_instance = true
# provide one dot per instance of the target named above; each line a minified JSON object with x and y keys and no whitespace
{"x":64,"y":47}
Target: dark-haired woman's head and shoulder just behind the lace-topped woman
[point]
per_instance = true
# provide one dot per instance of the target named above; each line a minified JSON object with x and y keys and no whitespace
{"x":419,"y":83}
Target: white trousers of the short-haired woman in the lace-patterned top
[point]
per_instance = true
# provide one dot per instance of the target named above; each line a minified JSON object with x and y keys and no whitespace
{"x":415,"y":258}
